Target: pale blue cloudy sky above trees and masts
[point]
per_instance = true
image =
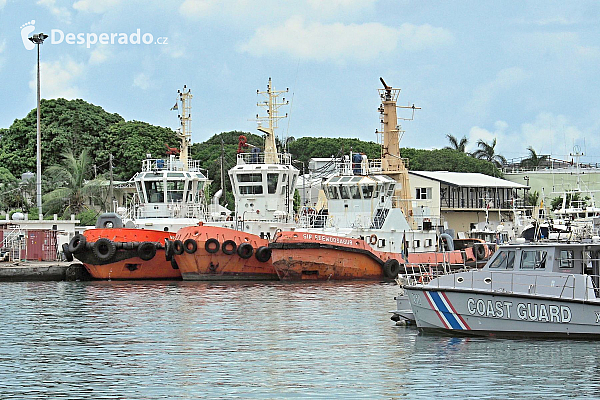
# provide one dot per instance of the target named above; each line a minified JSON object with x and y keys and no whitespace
{"x":525,"y":73}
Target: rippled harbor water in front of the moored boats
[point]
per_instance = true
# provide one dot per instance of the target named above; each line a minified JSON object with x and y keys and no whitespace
{"x":185,"y":340}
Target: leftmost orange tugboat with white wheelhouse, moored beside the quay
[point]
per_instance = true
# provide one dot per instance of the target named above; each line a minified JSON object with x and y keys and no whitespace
{"x":169,"y":196}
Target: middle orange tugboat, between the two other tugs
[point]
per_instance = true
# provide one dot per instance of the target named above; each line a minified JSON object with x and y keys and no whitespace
{"x":263,"y":185}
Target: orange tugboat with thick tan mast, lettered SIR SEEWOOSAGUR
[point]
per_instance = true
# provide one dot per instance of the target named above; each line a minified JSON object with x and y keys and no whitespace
{"x":369,"y":231}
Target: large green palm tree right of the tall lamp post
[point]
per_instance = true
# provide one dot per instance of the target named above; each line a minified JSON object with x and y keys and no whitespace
{"x":73,"y":191}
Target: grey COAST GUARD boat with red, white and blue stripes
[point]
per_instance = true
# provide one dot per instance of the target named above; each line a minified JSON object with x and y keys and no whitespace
{"x":537,"y":289}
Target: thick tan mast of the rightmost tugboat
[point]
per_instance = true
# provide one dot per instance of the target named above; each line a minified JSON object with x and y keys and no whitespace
{"x":391,"y":162}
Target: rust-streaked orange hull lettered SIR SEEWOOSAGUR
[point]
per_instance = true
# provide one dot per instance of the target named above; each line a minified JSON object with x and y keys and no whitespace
{"x":307,"y":256}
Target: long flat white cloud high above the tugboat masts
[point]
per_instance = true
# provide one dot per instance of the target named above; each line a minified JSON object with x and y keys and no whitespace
{"x":341,"y":42}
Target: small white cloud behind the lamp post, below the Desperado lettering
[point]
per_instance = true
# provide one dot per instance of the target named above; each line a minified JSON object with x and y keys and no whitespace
{"x":58,"y":79}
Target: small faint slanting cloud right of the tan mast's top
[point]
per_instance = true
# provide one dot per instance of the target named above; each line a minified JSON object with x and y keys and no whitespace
{"x":484,"y":94}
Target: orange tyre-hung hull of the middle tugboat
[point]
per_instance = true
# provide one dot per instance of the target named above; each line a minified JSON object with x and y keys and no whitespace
{"x":212,"y":262}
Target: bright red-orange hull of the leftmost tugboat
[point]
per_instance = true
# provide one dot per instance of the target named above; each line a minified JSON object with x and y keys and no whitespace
{"x":126,"y":263}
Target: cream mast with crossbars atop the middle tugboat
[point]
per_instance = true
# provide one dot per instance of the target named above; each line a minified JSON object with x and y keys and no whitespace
{"x":272,"y":106}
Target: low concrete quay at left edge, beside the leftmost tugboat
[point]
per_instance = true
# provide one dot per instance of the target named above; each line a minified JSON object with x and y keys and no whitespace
{"x":28,"y":271}
